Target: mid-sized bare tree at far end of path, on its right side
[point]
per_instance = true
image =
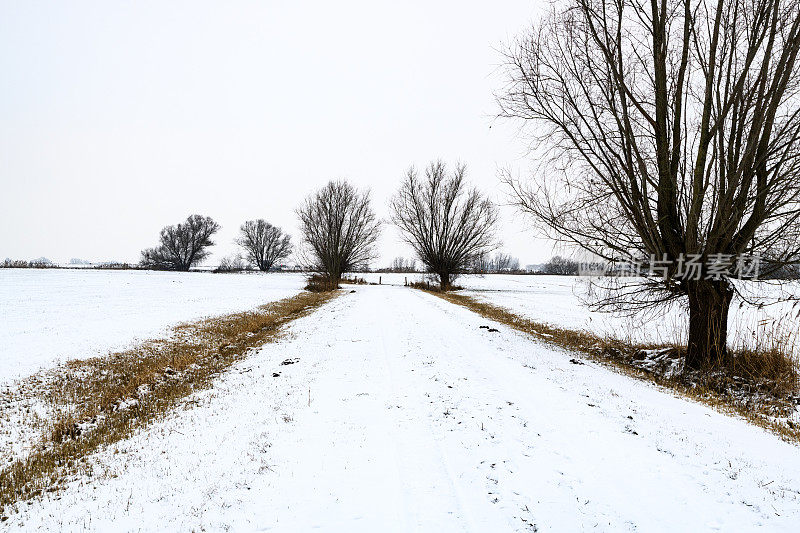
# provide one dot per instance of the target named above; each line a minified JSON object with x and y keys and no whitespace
{"x":446,"y":223}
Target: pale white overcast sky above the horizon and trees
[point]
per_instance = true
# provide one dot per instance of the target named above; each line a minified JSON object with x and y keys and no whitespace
{"x":118,"y":118}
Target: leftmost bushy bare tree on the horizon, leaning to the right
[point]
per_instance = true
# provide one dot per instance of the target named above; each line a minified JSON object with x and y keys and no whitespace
{"x":183,"y":245}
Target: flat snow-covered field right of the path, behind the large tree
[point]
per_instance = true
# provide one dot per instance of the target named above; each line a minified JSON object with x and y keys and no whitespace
{"x":562,"y":301}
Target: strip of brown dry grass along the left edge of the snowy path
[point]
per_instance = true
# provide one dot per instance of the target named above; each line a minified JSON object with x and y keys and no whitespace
{"x":101,"y":400}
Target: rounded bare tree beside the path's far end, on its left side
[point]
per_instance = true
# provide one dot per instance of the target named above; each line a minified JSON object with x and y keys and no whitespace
{"x":339,"y":230}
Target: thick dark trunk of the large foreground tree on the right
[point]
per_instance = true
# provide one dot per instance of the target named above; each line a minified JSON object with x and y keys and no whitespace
{"x":709,"y":302}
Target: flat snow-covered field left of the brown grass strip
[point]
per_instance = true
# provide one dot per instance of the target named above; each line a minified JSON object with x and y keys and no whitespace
{"x":48,"y":316}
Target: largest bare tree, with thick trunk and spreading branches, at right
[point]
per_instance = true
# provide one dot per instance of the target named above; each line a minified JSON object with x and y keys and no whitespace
{"x":667,"y":129}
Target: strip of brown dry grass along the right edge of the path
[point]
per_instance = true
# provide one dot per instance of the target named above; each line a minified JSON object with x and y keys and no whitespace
{"x":758,"y":385}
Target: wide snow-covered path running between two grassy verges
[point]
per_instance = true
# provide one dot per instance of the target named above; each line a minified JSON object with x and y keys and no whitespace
{"x":402,"y":414}
